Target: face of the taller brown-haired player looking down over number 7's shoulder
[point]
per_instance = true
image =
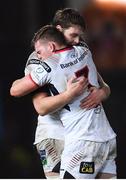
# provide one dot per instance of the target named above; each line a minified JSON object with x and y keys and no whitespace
{"x":73,"y":34}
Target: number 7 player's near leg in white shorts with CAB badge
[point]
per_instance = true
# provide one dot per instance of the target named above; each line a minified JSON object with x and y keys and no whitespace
{"x":83,"y":159}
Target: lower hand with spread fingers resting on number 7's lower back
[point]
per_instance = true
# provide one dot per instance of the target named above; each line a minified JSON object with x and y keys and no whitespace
{"x":93,"y":99}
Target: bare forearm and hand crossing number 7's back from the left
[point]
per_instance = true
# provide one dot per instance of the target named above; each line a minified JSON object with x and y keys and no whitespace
{"x":45,"y":105}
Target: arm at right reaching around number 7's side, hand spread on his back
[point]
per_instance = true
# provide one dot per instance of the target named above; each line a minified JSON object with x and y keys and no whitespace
{"x":97,"y":95}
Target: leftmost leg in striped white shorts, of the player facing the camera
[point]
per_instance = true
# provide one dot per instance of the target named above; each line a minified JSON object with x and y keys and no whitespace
{"x":50,"y":154}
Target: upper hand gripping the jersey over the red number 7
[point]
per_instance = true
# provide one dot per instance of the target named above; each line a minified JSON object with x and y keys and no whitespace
{"x":77,"y":86}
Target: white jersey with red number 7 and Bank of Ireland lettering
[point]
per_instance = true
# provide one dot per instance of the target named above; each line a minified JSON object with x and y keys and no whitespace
{"x":78,"y":123}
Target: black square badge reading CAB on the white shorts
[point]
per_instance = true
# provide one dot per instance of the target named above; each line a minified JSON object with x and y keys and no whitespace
{"x":87,"y":167}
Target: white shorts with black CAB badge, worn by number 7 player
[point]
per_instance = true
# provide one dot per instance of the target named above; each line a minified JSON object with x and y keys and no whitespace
{"x":85,"y":159}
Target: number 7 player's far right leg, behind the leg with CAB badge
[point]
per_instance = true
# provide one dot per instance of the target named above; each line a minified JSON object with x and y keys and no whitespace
{"x":108,"y":171}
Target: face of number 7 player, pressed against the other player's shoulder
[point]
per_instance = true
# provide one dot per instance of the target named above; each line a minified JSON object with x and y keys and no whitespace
{"x":42,"y":49}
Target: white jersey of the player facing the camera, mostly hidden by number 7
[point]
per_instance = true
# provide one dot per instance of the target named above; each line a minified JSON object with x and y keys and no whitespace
{"x":48,"y":126}
